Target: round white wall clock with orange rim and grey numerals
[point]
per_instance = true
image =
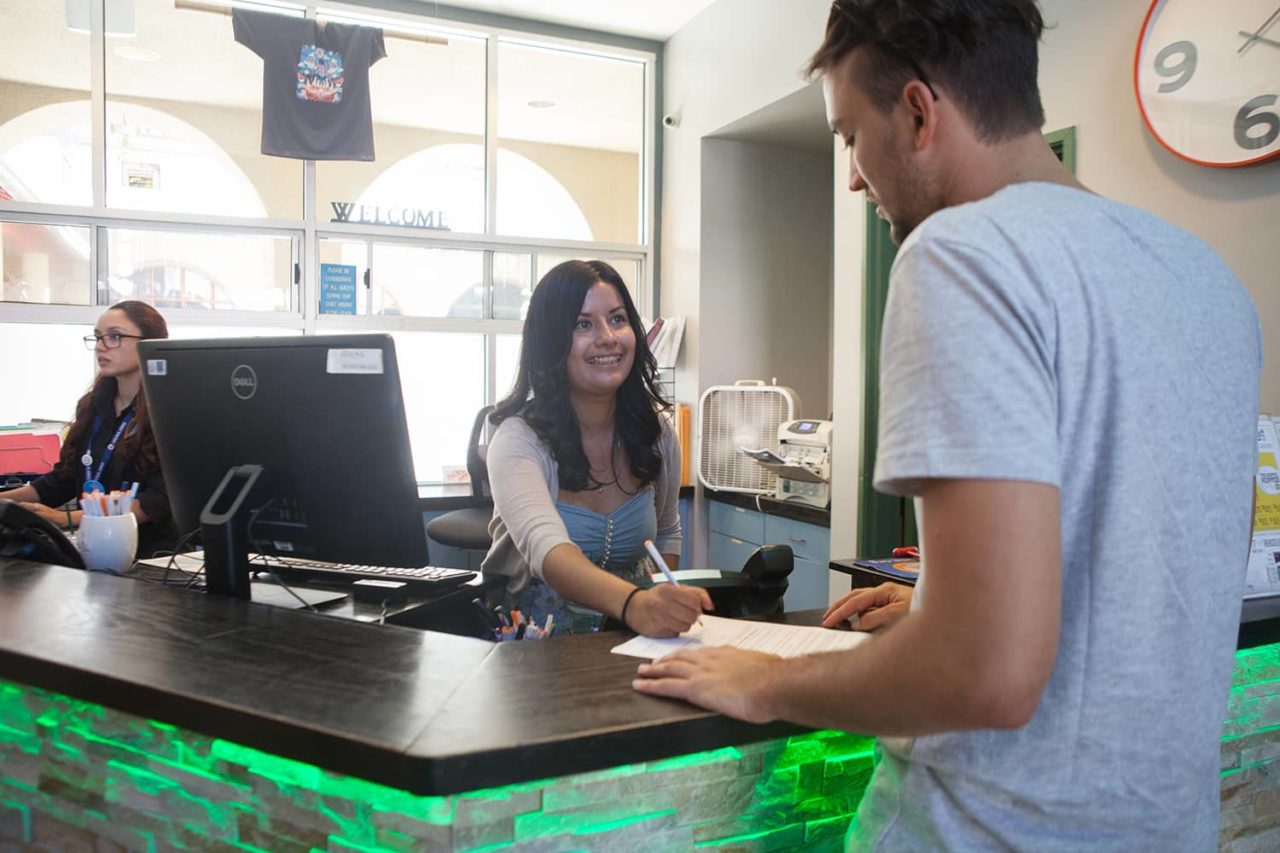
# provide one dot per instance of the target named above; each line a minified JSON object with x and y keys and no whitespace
{"x":1208,"y":77}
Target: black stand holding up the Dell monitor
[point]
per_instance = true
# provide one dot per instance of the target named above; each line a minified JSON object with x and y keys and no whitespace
{"x":225,"y":531}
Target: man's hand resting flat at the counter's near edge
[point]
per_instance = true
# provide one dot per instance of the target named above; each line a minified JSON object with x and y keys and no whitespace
{"x":721,"y":678}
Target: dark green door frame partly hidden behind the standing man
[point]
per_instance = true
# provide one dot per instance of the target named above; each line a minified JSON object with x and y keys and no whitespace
{"x":884,"y":521}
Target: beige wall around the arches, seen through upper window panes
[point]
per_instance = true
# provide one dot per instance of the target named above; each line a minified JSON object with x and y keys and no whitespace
{"x":604,"y":184}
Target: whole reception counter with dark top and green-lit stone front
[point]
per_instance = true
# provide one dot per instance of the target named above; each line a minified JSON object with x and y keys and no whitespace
{"x":150,"y":718}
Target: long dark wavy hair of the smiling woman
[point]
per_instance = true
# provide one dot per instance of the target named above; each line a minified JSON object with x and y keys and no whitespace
{"x":541,"y":395}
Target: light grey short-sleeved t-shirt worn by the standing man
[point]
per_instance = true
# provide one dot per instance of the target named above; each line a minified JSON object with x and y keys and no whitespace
{"x":1054,"y":336}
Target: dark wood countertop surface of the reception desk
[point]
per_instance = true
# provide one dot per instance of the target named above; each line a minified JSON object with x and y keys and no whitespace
{"x":427,"y":713}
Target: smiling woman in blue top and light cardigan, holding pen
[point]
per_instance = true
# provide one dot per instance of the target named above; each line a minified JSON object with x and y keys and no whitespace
{"x":584,"y":467}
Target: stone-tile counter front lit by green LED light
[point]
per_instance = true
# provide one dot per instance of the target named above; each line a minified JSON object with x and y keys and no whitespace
{"x":182,"y":790}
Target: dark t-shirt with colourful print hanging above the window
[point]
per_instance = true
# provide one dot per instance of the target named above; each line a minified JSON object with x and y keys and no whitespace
{"x":316,"y":85}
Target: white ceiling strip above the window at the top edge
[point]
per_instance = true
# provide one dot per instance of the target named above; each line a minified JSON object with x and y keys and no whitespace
{"x":656,"y":20}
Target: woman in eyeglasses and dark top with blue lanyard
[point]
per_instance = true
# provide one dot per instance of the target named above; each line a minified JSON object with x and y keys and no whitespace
{"x":109,"y":445}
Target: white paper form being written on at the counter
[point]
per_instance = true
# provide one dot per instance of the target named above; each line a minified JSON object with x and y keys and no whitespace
{"x":784,"y":641}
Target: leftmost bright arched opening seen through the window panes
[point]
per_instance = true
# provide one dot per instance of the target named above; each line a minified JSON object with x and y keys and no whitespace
{"x":158,"y":163}
